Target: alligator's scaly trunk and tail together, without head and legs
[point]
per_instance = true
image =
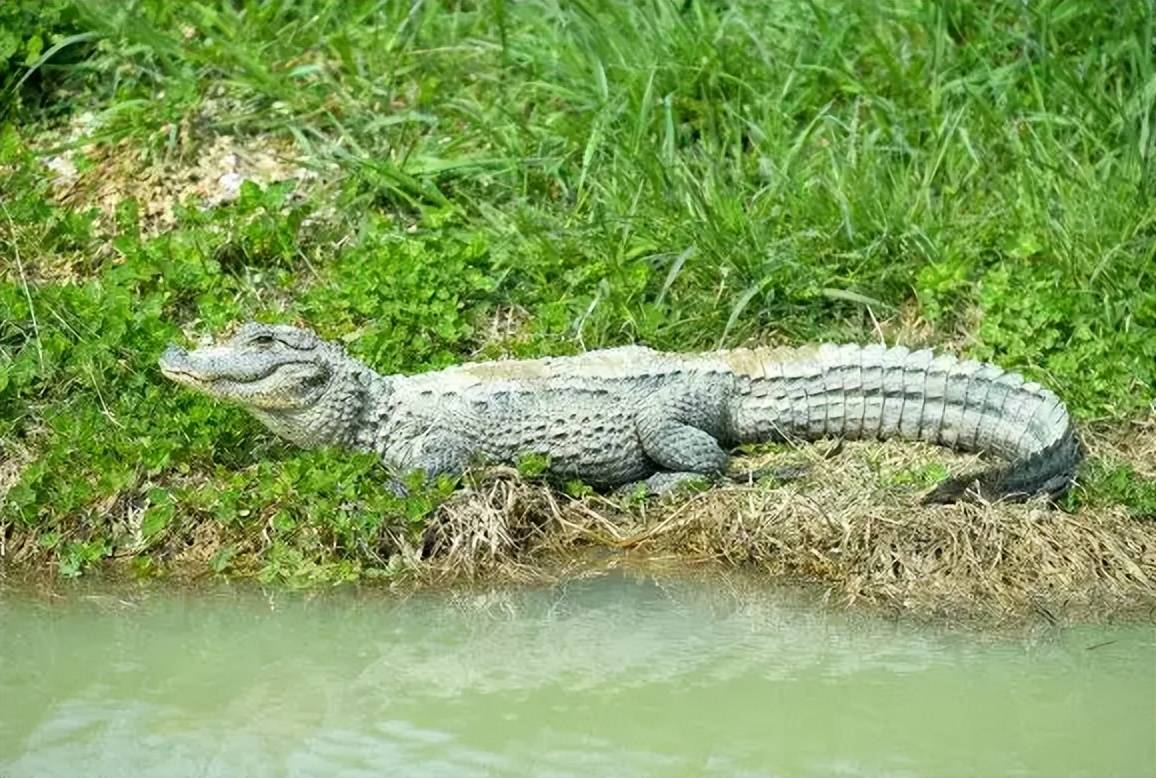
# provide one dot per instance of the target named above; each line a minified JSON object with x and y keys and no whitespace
{"x":584,"y":411}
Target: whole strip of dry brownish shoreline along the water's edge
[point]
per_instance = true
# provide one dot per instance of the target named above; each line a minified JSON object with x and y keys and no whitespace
{"x":853,"y":528}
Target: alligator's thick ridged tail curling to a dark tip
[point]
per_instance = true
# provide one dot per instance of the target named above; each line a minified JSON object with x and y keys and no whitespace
{"x":878,"y":392}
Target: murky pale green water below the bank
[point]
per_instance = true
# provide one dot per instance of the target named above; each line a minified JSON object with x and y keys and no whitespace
{"x":619,"y":676}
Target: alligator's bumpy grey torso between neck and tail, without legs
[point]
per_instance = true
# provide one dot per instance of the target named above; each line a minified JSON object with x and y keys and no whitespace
{"x":581,"y":412}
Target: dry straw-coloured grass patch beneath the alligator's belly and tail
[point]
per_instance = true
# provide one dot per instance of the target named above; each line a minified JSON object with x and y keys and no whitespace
{"x":849,"y":525}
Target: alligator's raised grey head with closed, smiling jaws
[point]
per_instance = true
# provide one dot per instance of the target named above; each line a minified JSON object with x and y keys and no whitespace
{"x":302,"y":388}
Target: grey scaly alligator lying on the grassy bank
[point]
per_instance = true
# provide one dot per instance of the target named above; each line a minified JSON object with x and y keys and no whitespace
{"x":634,"y":417}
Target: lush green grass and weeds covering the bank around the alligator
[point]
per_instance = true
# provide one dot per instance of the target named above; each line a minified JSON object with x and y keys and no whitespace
{"x":688,"y":175}
